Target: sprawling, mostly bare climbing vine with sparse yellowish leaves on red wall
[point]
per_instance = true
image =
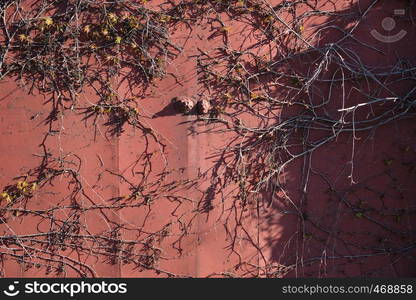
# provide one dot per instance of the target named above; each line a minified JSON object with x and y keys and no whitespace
{"x":284,"y":90}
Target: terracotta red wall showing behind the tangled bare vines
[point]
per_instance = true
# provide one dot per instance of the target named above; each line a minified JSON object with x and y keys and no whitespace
{"x":375,"y":238}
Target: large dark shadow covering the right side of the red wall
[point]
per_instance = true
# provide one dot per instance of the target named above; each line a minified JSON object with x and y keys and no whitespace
{"x":348,"y":207}
